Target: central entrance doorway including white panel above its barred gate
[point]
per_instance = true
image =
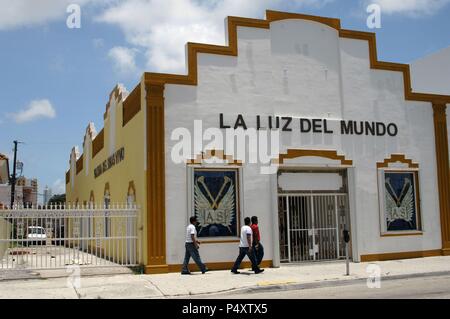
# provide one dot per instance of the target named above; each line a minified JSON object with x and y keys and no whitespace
{"x":312,"y":213}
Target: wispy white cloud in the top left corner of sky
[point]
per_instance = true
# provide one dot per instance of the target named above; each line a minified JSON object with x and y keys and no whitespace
{"x":22,"y":13}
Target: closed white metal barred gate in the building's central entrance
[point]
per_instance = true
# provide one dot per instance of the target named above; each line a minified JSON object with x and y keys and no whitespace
{"x":311,"y":226}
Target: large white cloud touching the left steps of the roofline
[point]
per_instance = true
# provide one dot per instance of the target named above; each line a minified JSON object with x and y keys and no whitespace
{"x":162,"y":27}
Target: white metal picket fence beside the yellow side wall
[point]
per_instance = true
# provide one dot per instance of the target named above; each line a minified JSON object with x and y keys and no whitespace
{"x":60,"y":236}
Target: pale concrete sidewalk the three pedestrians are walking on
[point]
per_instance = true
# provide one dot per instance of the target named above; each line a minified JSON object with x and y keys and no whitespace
{"x":176,"y":285}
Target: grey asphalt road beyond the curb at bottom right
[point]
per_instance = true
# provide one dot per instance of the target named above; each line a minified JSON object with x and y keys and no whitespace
{"x":421,"y":287}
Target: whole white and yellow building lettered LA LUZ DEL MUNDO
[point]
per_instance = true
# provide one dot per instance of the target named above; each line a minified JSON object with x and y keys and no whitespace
{"x":360,"y":150}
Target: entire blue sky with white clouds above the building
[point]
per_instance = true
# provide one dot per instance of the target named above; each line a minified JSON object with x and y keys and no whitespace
{"x":55,"y":80}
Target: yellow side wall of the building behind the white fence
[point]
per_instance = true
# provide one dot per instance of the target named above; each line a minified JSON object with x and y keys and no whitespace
{"x":110,"y":170}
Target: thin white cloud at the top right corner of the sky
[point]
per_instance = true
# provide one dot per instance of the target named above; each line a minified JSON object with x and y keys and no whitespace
{"x":410,"y":7}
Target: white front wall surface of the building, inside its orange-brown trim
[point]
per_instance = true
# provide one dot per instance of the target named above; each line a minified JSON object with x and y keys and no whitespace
{"x":301,"y":69}
